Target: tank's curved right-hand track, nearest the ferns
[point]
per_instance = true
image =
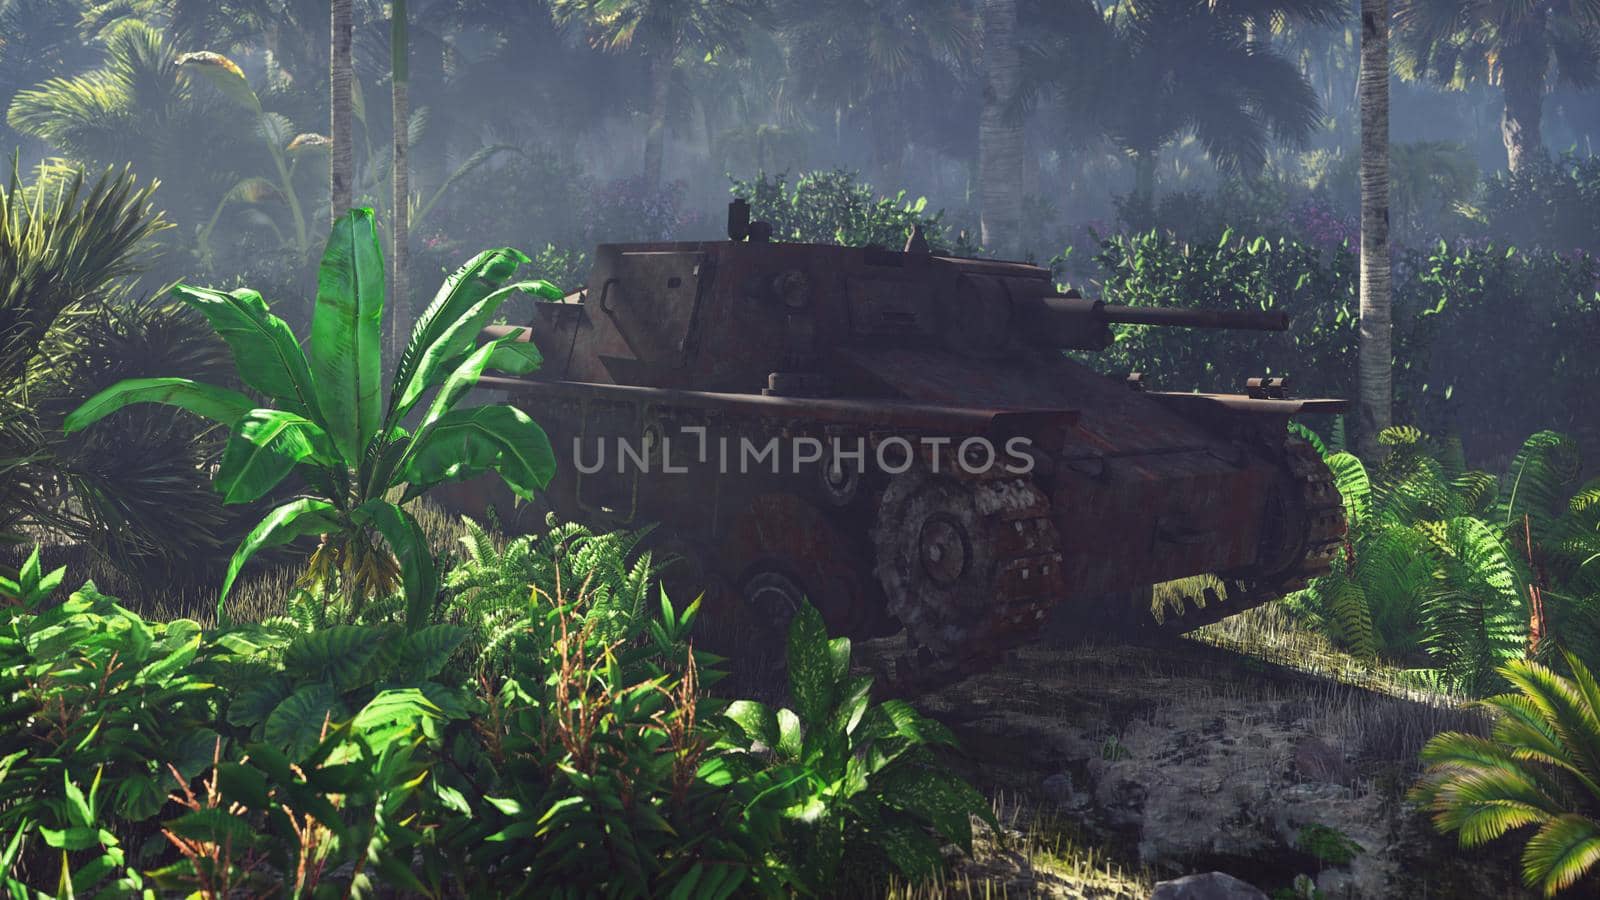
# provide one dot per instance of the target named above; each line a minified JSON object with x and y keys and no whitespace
{"x":1322,"y":510}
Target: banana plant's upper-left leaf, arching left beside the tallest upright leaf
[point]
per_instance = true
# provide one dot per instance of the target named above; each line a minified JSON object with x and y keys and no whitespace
{"x":266,"y":355}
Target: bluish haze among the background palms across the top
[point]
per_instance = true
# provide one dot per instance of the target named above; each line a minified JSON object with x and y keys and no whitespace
{"x":567,"y":123}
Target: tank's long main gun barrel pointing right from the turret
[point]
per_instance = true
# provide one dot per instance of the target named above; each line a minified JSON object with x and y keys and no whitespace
{"x":1066,"y":321}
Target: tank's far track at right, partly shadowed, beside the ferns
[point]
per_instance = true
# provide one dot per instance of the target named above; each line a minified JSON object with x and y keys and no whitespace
{"x":1302,"y":537}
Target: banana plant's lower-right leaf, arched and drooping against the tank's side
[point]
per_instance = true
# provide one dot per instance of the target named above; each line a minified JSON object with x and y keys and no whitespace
{"x":468,"y":443}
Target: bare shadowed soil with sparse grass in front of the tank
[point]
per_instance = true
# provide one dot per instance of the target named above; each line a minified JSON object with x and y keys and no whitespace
{"x":1244,"y":750}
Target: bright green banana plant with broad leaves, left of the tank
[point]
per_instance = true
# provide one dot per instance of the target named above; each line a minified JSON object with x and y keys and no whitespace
{"x":332,"y":425}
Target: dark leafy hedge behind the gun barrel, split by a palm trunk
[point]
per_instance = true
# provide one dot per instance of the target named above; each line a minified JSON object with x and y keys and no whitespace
{"x":1490,"y":344}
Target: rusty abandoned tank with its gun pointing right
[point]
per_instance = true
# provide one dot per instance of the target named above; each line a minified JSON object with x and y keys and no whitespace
{"x":902,"y":440}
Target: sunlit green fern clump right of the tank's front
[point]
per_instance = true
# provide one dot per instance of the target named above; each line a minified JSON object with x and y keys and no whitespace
{"x":1441,"y":561}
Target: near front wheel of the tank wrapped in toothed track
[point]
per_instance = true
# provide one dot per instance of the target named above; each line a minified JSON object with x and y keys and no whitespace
{"x":967,"y":566}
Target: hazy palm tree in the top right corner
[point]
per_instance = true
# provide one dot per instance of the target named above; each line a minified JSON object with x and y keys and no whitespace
{"x":1511,"y":44}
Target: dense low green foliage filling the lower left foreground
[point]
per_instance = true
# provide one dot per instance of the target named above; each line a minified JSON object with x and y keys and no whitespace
{"x":322,"y":761}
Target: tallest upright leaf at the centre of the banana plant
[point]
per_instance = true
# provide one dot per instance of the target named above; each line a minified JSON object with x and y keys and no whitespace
{"x":345,"y":334}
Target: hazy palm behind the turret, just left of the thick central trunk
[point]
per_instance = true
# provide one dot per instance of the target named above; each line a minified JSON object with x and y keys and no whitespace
{"x":878,"y":62}
